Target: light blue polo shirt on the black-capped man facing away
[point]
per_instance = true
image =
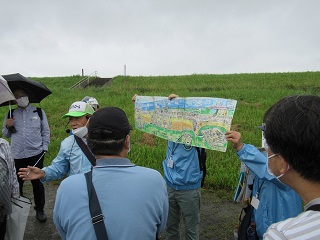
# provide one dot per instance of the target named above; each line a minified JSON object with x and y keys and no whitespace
{"x":133,"y":200}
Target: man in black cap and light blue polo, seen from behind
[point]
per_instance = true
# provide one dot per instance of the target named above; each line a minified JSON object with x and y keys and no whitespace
{"x":133,"y":199}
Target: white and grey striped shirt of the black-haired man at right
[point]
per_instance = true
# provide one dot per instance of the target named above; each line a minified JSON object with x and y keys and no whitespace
{"x":305,"y":226}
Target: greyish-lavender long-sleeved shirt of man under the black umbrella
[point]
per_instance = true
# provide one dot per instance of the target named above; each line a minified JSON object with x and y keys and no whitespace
{"x":32,"y":136}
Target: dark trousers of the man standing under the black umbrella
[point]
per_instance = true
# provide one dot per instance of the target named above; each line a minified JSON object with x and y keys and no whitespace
{"x":38,"y":188}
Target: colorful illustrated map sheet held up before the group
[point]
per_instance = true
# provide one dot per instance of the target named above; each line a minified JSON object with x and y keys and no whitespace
{"x":196,"y":121}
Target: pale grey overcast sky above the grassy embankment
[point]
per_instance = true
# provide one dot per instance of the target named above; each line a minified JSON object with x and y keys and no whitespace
{"x":158,"y":37}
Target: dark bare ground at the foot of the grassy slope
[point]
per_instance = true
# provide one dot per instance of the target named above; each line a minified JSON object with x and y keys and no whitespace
{"x":219,"y":215}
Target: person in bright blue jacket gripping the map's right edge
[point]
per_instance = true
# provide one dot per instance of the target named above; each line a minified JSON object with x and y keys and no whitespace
{"x":276,"y":201}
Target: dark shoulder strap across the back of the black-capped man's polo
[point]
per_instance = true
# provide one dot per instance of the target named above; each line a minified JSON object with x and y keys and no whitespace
{"x":97,"y":218}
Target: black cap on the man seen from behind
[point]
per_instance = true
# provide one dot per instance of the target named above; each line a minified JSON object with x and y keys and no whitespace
{"x":109,"y":123}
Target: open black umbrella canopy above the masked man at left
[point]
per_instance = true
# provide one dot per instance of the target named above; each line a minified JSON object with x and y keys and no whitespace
{"x":35,"y":90}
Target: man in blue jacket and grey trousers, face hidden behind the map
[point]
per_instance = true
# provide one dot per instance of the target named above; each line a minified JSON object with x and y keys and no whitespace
{"x":183,"y":177}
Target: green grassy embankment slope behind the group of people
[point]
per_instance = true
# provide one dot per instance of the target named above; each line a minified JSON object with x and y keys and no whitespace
{"x":255,"y":93}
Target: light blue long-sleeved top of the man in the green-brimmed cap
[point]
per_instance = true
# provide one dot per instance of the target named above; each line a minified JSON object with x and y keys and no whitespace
{"x":69,"y":161}
